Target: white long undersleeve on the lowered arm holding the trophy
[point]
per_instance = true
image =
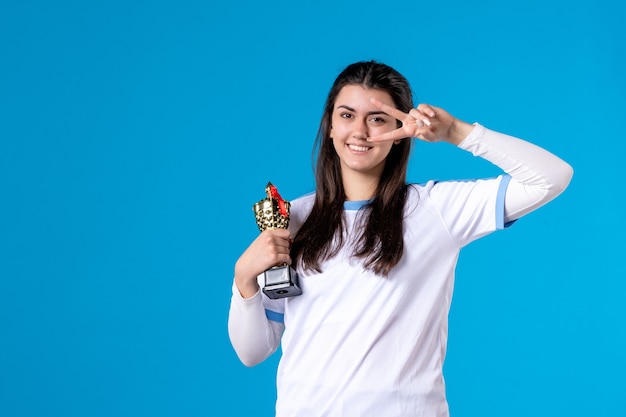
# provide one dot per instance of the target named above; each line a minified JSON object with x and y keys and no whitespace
{"x":252,"y":335}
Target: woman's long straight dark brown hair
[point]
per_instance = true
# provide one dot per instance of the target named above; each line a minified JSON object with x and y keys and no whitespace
{"x":380,"y":243}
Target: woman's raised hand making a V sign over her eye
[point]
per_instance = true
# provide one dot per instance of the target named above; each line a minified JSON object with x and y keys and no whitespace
{"x":426,"y":122}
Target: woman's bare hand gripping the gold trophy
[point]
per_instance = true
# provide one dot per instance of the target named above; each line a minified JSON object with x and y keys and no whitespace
{"x":269,"y":249}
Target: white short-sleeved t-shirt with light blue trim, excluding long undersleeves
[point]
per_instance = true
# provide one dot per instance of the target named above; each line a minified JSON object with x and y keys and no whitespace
{"x":359,"y":344}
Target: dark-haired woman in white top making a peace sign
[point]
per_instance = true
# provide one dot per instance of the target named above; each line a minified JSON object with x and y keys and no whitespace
{"x":375,"y":255}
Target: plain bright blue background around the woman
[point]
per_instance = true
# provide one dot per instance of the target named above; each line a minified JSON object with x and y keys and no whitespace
{"x":135,"y":137}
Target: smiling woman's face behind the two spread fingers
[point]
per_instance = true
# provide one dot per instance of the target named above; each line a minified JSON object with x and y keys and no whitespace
{"x":354,"y":119}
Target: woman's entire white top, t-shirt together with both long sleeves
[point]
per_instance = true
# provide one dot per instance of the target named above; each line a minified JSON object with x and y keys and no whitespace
{"x":357,"y":344}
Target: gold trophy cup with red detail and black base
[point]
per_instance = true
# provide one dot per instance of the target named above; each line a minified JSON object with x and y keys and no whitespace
{"x":272,"y":212}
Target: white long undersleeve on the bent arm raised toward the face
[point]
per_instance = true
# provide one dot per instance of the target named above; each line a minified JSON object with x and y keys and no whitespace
{"x":537,"y":176}
